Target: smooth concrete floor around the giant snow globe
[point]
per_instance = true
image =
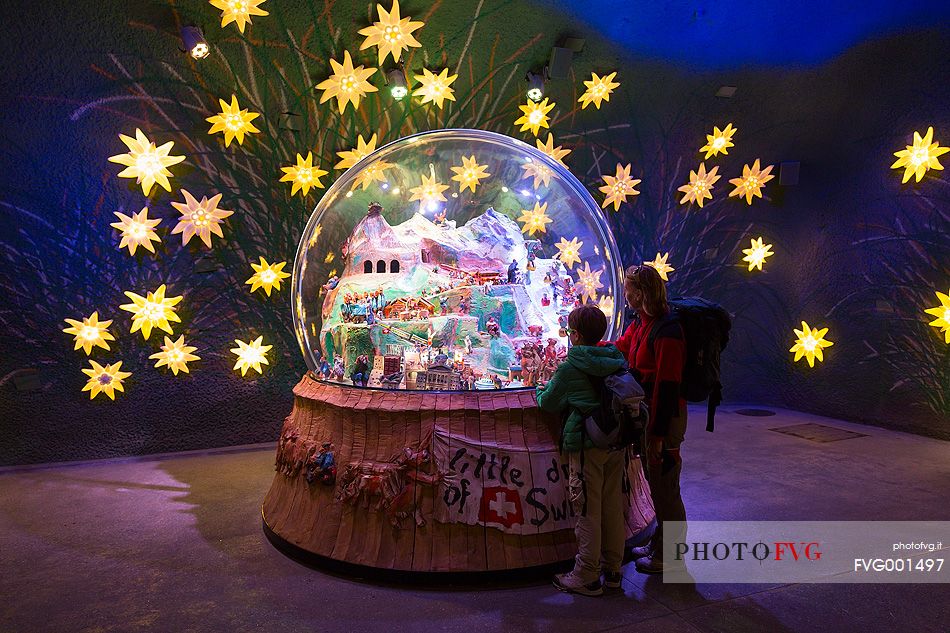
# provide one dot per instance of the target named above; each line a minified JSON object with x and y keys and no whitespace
{"x":174,"y":543}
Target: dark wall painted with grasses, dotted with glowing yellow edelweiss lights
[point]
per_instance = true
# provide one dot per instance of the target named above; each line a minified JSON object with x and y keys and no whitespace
{"x":836,"y":283}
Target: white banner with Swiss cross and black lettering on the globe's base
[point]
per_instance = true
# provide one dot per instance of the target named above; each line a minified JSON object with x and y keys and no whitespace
{"x":512,"y":490}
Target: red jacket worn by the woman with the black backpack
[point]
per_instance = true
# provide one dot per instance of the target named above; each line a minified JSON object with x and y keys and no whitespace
{"x":659,"y":367}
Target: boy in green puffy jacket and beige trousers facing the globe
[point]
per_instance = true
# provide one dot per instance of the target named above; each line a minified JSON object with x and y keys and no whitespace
{"x":596,"y":474}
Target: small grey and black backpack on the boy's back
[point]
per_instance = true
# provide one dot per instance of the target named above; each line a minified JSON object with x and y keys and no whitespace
{"x":622,"y":415}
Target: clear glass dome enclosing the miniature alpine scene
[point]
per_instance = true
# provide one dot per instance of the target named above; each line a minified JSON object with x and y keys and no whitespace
{"x":449,"y":260}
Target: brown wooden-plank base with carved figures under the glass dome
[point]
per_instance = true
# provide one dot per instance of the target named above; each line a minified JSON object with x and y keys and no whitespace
{"x":406,"y":495}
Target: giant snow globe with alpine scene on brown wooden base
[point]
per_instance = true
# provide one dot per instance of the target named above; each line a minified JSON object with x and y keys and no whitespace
{"x":431,"y":291}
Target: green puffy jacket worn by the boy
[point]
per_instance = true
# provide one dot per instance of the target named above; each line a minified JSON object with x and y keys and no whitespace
{"x":571,"y":389}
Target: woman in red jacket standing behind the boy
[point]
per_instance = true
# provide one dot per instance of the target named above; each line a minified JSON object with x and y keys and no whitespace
{"x":655,"y":349}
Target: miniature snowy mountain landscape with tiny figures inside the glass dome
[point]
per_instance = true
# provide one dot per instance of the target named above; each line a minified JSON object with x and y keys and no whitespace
{"x":476,"y":295}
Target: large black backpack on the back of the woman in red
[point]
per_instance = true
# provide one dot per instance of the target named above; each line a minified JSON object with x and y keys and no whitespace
{"x":706,"y":327}
